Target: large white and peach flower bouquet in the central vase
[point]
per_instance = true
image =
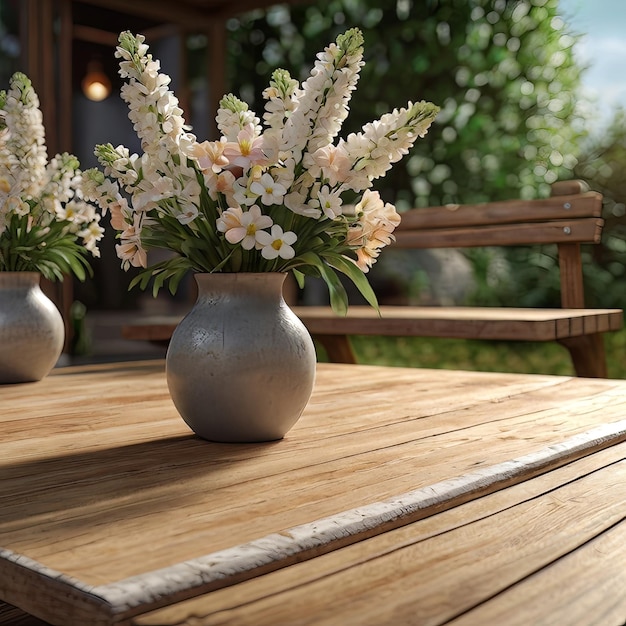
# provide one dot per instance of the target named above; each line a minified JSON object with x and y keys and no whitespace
{"x":261,"y":198}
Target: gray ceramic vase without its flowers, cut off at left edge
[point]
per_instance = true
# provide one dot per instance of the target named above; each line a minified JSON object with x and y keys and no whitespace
{"x":32,"y":332}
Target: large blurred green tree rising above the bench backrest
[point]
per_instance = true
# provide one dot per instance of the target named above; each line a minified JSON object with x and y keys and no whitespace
{"x":502,"y":71}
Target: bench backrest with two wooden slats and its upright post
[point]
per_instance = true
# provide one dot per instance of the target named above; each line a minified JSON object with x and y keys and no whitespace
{"x":569,"y":218}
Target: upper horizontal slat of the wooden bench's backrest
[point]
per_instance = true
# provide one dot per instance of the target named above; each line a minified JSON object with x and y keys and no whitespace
{"x":506,"y":212}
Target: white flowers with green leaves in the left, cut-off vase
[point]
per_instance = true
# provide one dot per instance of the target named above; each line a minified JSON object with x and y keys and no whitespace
{"x":45,"y":224}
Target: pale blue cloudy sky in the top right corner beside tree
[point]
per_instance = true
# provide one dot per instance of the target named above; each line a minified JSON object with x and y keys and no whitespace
{"x":602,"y":24}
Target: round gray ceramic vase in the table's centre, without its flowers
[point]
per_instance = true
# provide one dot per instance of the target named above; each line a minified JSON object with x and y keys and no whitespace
{"x":241,"y":365}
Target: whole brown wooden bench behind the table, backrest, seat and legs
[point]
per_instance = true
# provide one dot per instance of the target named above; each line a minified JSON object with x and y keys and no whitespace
{"x":569,"y":218}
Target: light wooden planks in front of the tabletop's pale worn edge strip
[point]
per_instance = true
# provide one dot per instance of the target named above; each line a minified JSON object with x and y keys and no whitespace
{"x":457,"y":564}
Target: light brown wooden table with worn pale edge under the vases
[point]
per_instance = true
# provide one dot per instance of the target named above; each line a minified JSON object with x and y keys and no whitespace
{"x":402,"y":495}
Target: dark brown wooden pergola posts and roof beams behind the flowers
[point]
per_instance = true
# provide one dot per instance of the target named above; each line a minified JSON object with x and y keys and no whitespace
{"x":58,"y":37}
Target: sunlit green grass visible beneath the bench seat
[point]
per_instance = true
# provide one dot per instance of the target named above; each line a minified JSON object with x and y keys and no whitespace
{"x":487,"y":356}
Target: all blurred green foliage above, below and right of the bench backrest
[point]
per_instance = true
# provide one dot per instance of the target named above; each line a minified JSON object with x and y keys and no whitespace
{"x":505,"y":76}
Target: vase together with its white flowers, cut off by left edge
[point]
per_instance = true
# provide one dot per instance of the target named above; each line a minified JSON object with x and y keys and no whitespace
{"x":46,"y":229}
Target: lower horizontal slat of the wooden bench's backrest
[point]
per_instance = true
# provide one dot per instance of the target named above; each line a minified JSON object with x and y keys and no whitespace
{"x":567,"y":231}
